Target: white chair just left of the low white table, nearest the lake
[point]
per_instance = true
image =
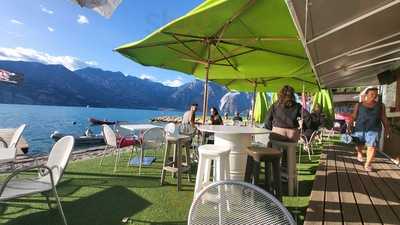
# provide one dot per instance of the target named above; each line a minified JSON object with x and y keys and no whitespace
{"x":111,"y":143}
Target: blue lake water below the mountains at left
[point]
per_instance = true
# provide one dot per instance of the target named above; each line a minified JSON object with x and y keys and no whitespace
{"x":42,"y":121}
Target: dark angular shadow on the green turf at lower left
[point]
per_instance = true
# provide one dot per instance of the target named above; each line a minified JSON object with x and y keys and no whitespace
{"x":107,"y":207}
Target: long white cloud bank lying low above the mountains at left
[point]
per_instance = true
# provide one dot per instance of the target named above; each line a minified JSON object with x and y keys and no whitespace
{"x":27,"y":54}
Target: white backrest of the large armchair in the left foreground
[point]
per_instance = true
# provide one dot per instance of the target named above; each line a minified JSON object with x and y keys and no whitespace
{"x":59,"y":157}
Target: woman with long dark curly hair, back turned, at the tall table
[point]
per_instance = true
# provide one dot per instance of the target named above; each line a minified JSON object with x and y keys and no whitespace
{"x":282,"y":117}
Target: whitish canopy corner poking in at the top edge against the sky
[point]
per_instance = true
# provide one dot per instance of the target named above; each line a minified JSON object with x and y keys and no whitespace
{"x":103,"y":7}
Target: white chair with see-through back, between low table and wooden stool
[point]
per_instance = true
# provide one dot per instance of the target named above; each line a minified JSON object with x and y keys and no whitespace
{"x":152,"y":138}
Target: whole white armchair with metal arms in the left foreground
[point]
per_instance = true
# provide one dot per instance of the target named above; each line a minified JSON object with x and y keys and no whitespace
{"x":49,"y":176}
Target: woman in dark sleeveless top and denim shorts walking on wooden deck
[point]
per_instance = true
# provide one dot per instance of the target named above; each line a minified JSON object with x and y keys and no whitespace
{"x":369,"y":115}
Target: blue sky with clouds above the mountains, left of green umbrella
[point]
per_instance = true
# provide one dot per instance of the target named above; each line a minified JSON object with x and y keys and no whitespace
{"x":58,"y":31}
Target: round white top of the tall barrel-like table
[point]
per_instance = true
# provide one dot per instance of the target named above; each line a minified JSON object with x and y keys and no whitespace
{"x":223,"y":129}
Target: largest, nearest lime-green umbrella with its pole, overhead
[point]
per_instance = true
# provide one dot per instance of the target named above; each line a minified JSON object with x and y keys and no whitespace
{"x":226,"y":39}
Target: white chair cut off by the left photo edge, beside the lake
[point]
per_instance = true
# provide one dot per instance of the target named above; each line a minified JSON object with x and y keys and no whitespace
{"x":9,"y":153}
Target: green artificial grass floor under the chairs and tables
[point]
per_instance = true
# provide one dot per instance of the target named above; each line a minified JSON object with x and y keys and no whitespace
{"x":93,"y":195}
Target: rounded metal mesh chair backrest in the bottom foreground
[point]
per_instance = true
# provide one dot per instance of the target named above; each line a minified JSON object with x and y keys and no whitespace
{"x":236,"y":202}
